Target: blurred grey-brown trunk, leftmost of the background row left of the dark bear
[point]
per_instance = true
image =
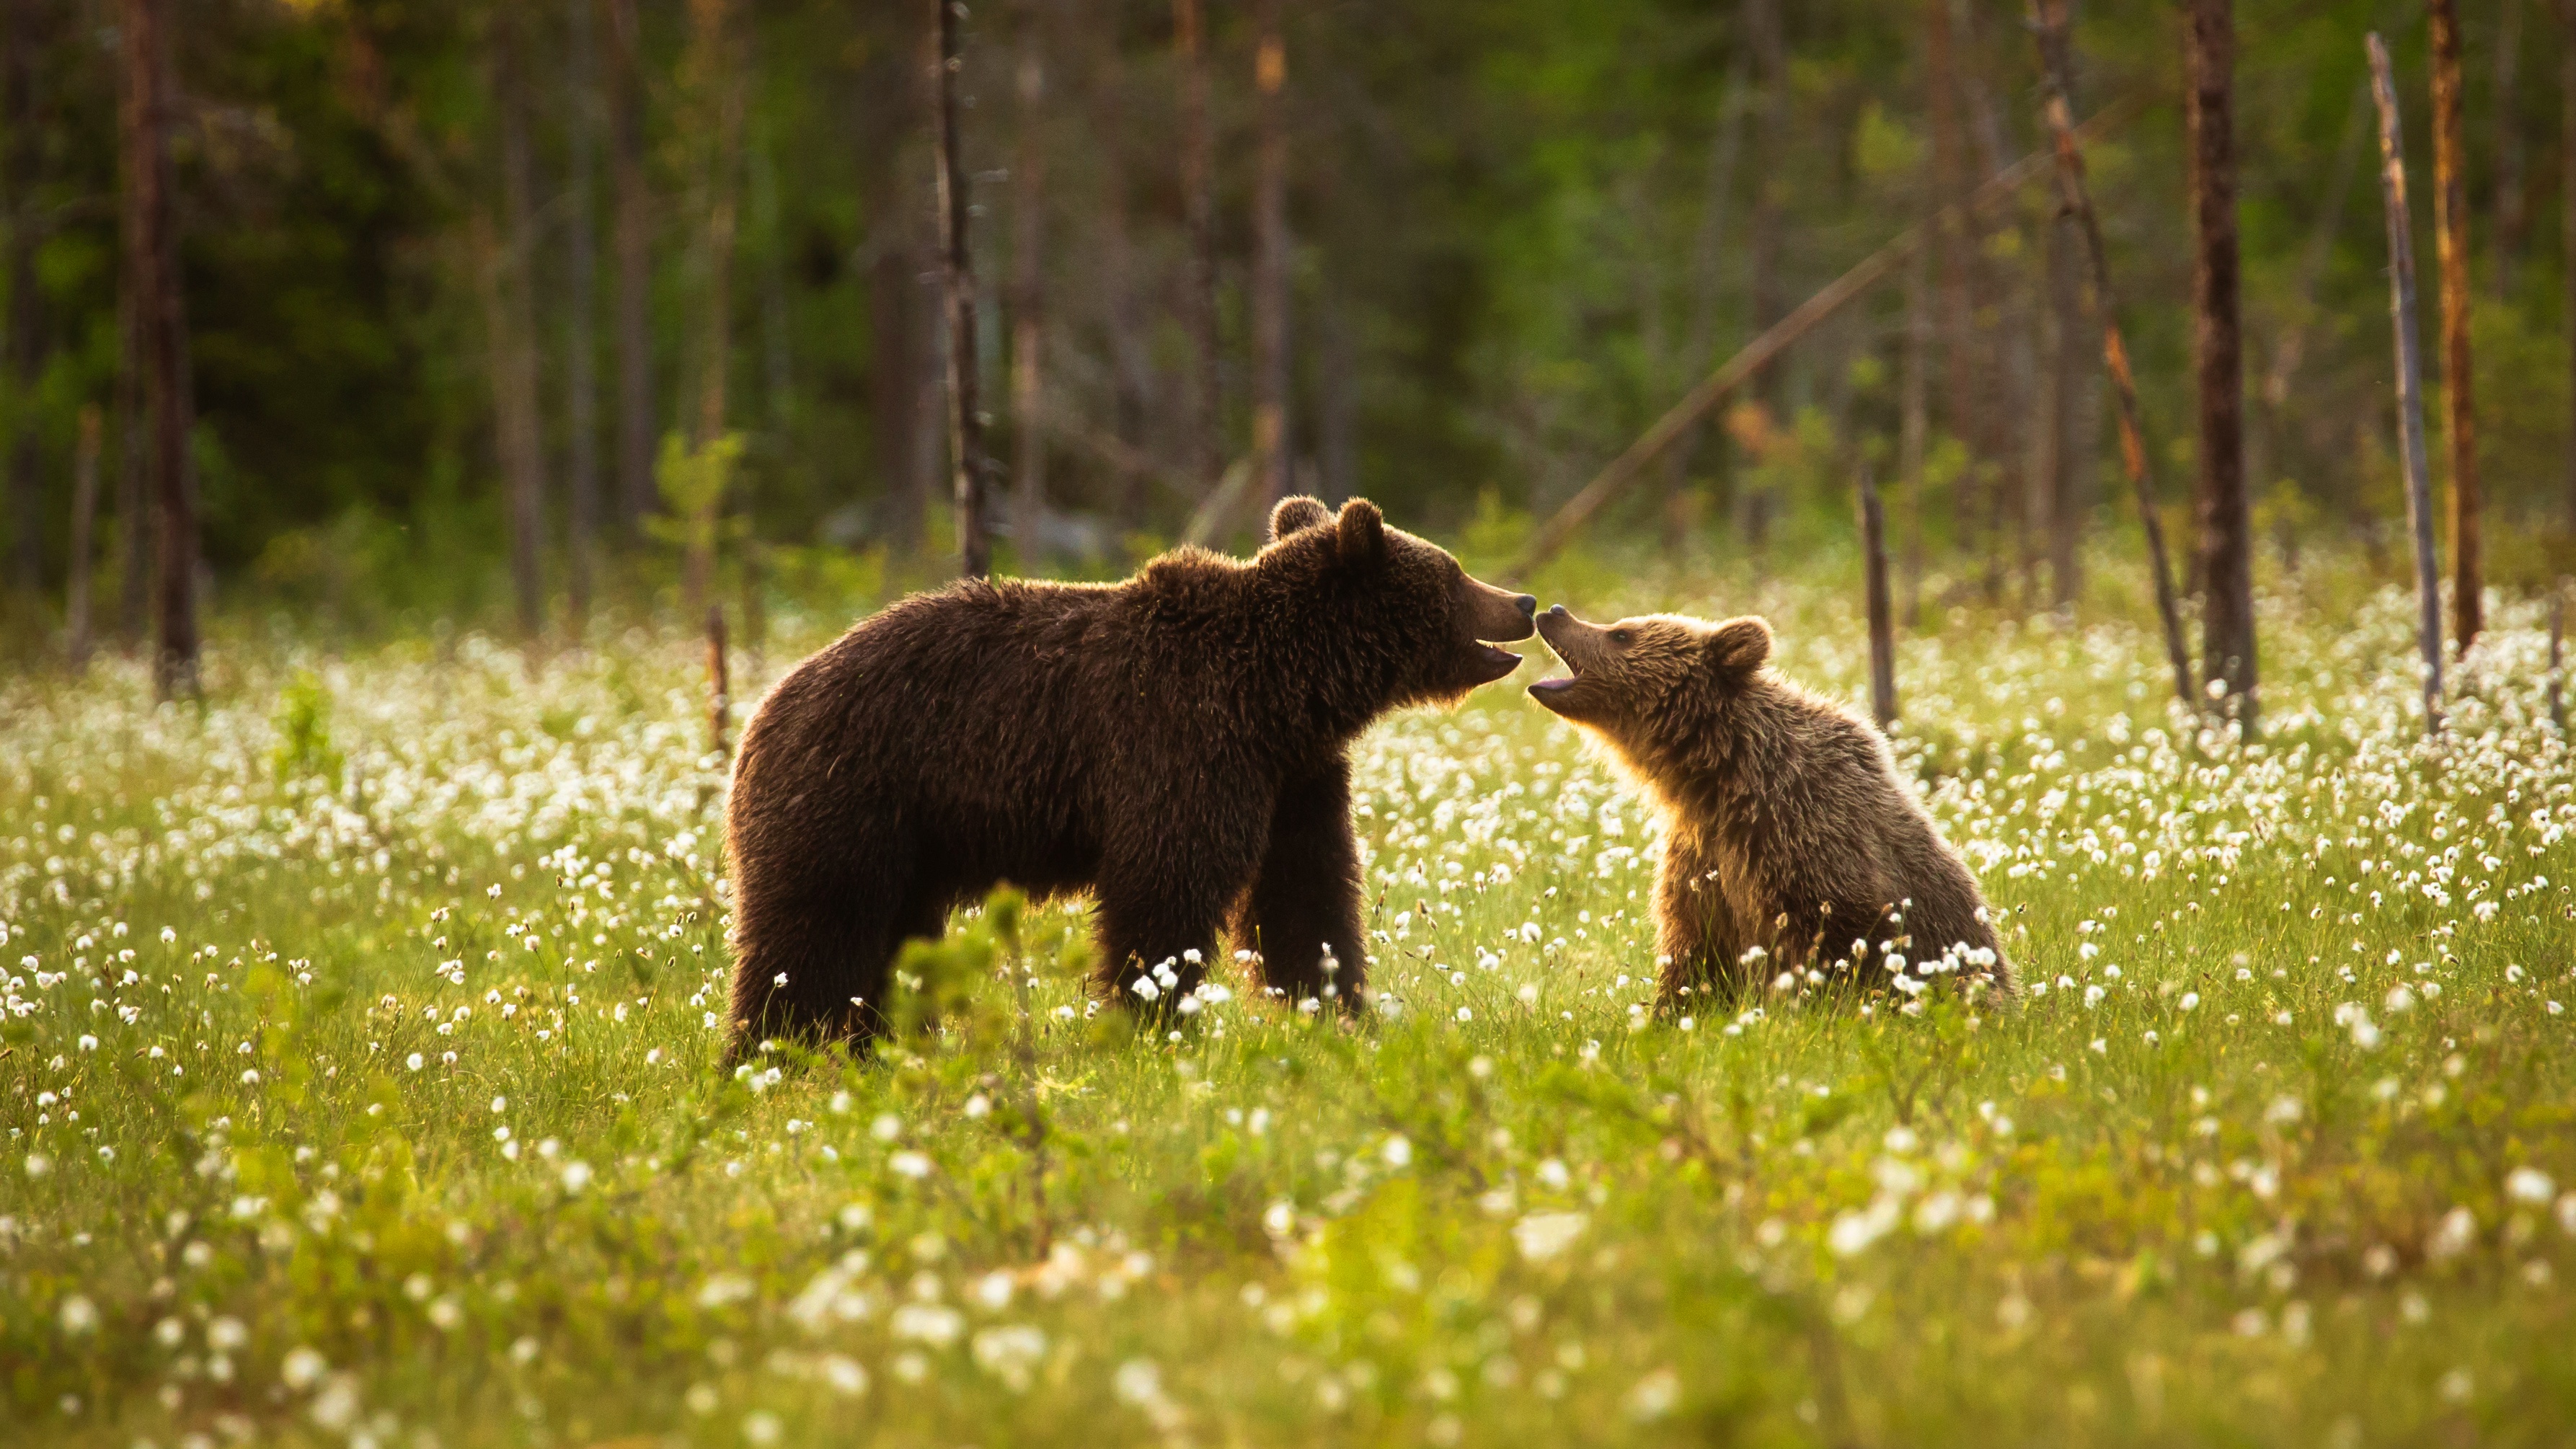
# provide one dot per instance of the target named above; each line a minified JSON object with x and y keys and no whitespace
{"x":511,"y":315}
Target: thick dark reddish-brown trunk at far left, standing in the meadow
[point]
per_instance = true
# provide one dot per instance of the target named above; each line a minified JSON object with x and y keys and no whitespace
{"x":164,"y":323}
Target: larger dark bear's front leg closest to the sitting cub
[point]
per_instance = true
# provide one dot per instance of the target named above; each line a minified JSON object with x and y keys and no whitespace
{"x":1307,"y":894}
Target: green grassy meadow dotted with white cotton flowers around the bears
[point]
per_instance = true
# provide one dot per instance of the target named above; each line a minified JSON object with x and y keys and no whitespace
{"x":406,"y":1126}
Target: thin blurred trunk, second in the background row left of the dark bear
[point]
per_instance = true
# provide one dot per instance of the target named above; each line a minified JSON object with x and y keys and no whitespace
{"x":581,"y":313}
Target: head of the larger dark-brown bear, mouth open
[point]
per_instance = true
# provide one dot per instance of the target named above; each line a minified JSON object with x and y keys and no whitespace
{"x":1390,"y":619}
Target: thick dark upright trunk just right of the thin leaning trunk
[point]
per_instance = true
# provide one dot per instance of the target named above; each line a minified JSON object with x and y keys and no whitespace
{"x":2227,"y":549}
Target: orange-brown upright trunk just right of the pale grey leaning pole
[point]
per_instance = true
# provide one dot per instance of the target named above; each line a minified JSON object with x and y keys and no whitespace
{"x":2459,"y":395}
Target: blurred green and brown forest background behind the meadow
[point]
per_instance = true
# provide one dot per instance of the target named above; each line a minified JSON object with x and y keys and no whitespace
{"x":524,"y":313}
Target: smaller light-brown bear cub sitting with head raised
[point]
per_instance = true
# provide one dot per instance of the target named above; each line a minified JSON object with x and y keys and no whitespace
{"x":1786,"y":822}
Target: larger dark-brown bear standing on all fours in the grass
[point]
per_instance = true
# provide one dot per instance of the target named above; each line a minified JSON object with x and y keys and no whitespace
{"x":1176,"y":745}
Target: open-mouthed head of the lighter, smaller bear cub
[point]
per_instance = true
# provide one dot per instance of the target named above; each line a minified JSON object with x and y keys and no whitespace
{"x":1634,"y":678}
